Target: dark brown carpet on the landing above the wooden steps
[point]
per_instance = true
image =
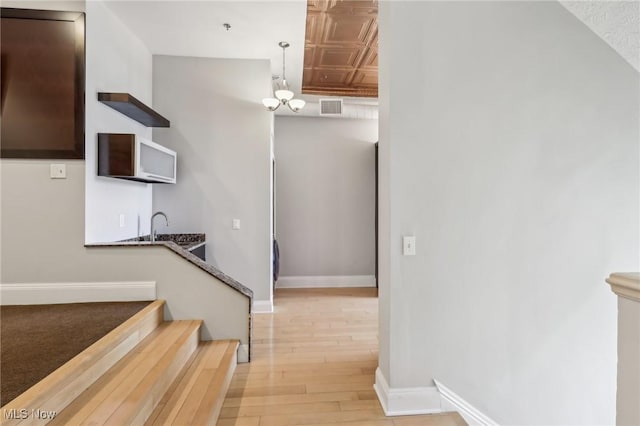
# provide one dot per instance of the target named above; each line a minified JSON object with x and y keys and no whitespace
{"x":37,"y":339}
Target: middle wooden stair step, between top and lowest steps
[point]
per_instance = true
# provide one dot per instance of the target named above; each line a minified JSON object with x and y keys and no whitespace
{"x":128,"y":392}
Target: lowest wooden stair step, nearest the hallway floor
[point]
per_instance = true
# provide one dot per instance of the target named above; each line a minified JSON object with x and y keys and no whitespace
{"x":197,"y":394}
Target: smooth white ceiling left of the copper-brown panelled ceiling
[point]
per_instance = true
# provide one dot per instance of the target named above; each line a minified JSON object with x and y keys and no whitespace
{"x":195,"y":28}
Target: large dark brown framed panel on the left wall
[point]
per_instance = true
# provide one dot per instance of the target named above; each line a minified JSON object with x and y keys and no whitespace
{"x":42,"y":83}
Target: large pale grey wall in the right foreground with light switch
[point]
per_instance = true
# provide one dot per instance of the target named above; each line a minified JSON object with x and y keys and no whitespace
{"x":510,"y":141}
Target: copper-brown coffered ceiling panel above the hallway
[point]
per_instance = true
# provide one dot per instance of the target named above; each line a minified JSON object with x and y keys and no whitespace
{"x":341,"y":48}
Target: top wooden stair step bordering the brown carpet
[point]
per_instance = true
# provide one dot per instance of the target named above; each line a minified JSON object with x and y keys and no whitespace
{"x":61,"y":387}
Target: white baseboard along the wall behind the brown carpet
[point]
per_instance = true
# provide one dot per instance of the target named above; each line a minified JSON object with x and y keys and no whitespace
{"x":53,"y":293}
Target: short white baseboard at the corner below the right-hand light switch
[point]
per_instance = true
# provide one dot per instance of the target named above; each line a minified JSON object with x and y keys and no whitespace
{"x":406,"y":401}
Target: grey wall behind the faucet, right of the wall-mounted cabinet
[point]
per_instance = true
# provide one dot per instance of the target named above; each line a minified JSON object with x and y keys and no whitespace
{"x":221,"y":133}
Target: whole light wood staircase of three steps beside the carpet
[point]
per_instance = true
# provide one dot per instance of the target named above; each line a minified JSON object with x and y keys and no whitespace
{"x":147,"y":371}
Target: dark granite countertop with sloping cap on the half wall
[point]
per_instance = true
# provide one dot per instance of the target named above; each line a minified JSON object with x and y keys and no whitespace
{"x":181,"y":244}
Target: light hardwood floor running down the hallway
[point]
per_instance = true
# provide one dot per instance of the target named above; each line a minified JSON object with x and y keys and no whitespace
{"x":313,"y":363}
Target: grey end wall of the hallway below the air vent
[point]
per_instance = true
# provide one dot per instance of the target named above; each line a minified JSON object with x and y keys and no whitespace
{"x":325,"y":195}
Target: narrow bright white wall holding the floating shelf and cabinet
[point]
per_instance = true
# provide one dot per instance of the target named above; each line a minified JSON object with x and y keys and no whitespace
{"x":116,"y":61}
